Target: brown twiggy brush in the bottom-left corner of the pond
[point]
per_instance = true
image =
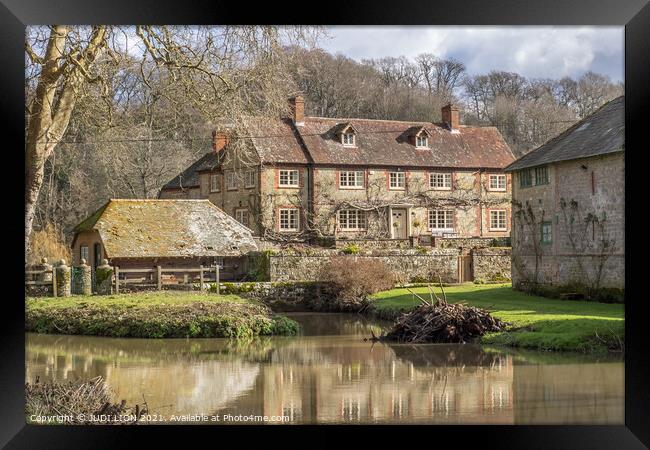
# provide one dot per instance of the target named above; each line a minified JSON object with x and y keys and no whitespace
{"x":83,"y":402}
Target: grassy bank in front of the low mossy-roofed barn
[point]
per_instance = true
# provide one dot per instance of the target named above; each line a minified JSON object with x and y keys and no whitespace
{"x":161,"y":314}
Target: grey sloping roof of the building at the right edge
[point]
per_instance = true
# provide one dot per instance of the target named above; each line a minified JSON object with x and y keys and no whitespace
{"x":600,"y":133}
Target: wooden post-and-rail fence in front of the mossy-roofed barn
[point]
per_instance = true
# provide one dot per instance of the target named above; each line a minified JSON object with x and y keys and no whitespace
{"x":156,"y":276}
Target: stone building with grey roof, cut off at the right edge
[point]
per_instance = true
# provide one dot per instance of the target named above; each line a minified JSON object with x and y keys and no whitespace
{"x":568,"y":205}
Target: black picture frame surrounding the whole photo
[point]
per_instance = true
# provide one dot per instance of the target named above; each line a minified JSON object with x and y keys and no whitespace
{"x":633,"y":14}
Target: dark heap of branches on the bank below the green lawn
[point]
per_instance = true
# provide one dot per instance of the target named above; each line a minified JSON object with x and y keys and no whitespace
{"x":436,"y":320}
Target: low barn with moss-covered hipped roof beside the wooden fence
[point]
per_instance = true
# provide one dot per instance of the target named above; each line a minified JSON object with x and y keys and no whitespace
{"x":140,"y":234}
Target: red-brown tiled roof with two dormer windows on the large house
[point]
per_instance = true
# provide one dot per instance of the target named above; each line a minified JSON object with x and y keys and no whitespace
{"x":387,"y":143}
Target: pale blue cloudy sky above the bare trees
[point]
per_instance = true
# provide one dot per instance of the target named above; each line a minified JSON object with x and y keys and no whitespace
{"x":537,"y":52}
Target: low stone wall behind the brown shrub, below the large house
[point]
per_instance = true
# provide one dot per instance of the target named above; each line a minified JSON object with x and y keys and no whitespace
{"x":406,"y":264}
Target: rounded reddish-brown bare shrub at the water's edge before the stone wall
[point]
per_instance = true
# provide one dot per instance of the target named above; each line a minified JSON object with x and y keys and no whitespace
{"x":354,"y":280}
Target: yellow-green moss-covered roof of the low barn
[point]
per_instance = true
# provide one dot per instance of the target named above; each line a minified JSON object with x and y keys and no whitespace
{"x":167,"y":228}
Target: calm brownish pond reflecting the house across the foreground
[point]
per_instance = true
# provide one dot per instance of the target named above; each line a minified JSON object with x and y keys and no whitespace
{"x":329,"y":374}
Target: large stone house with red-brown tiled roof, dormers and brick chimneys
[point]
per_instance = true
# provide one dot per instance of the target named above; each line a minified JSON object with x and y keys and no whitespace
{"x":356,"y":178}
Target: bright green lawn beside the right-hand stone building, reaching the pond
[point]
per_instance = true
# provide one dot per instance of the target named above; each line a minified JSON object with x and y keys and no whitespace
{"x":537,"y":322}
